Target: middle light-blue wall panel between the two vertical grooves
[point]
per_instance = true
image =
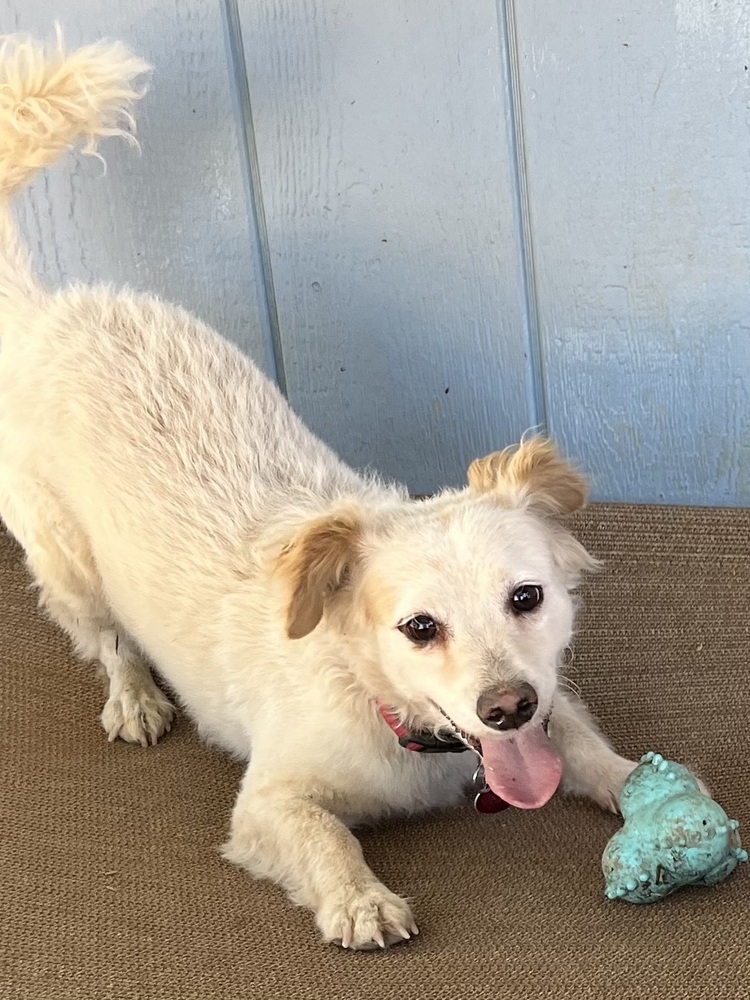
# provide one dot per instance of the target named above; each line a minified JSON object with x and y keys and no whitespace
{"x":387,"y":184}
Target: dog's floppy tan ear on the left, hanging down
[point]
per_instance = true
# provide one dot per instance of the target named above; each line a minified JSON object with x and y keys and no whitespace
{"x":316,"y":564}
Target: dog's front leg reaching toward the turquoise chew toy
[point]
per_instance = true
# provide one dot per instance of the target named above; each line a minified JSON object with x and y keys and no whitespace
{"x":590,"y":766}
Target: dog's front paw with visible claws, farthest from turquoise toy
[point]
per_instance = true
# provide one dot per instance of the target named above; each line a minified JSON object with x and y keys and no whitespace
{"x":367,"y":918}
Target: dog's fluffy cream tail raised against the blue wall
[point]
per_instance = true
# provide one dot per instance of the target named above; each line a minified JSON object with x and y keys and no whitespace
{"x":51,"y":100}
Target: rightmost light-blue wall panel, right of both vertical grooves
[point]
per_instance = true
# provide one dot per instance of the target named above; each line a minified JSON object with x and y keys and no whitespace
{"x":638,"y":157}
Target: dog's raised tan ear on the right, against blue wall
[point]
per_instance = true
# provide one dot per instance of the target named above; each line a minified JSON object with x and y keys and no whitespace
{"x":533,"y":474}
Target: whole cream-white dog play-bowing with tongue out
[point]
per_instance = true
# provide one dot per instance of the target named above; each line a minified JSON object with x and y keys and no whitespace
{"x":172,"y":507}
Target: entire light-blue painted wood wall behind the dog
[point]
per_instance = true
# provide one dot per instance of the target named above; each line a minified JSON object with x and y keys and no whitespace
{"x":441,"y":224}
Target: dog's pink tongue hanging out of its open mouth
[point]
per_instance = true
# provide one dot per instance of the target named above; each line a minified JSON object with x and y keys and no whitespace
{"x":524,"y":769}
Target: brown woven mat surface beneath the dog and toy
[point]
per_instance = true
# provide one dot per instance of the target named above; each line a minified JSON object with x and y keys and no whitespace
{"x":111,"y":885}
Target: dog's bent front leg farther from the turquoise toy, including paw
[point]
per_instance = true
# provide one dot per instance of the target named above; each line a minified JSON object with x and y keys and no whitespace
{"x":281,"y":831}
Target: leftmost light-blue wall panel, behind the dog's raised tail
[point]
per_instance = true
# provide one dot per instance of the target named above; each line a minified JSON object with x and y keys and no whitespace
{"x":175,"y":219}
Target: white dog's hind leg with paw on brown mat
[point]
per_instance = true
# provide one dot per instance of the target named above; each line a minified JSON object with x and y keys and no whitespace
{"x":60,"y":560}
